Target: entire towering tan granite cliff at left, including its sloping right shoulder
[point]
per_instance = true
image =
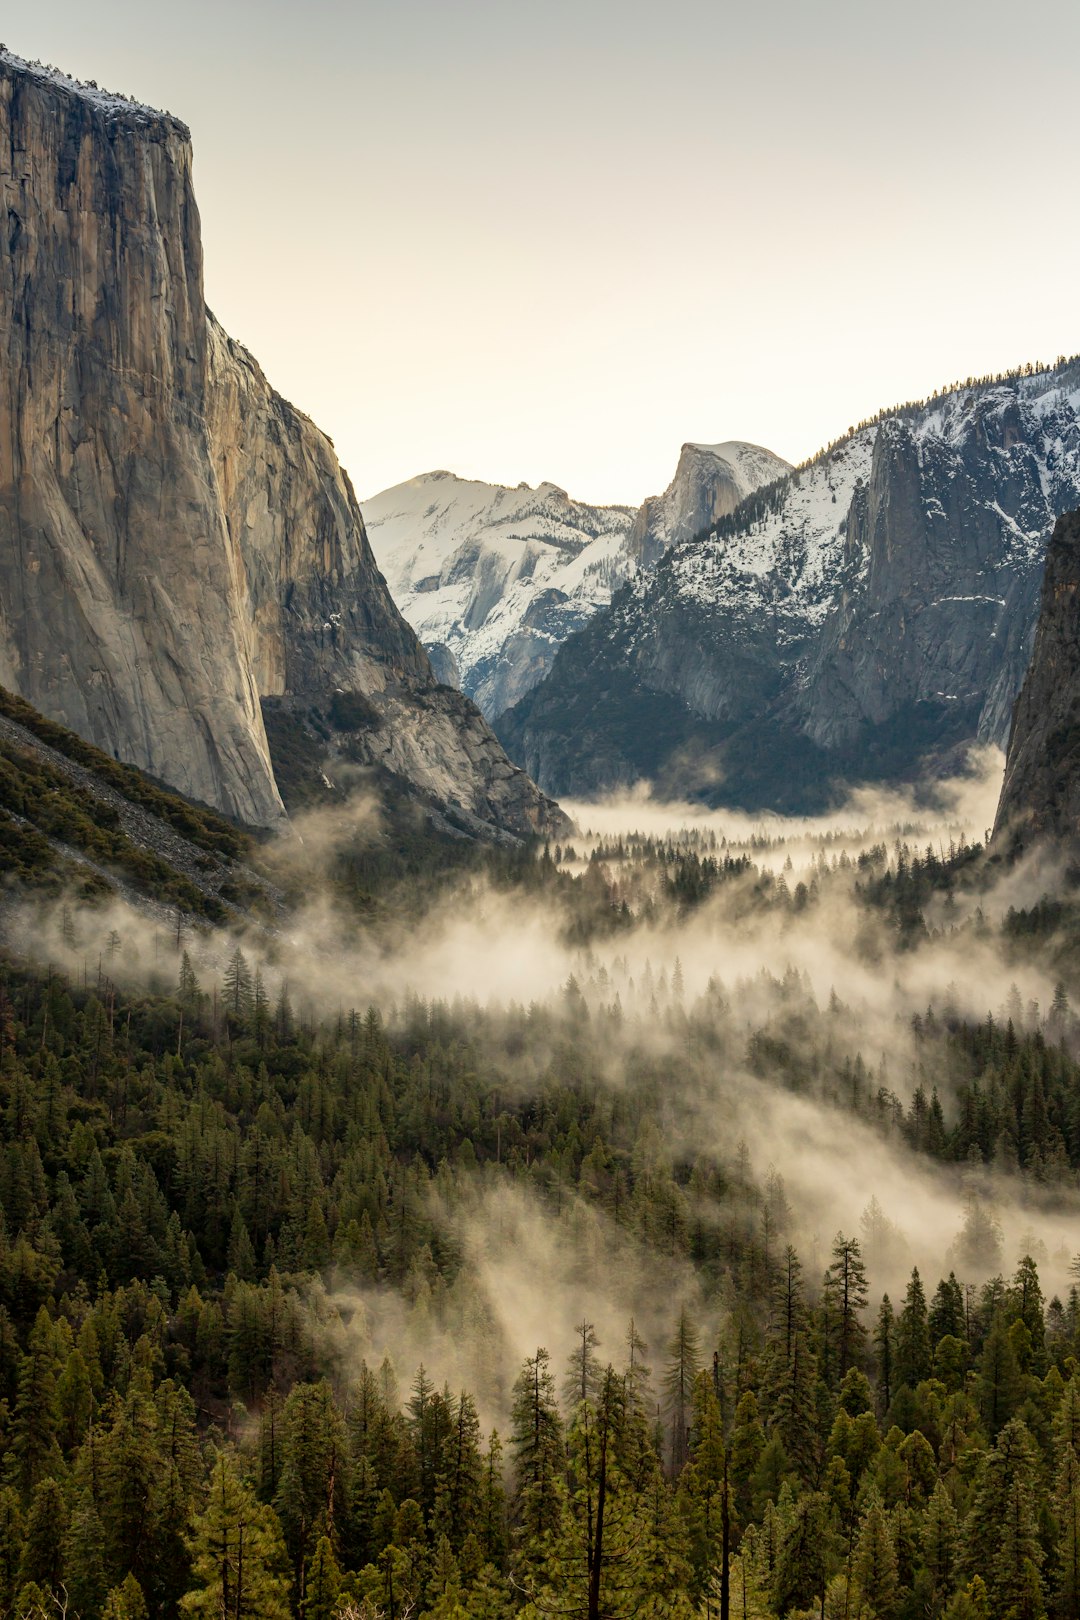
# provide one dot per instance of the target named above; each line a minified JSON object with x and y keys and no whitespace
{"x":177,"y":544}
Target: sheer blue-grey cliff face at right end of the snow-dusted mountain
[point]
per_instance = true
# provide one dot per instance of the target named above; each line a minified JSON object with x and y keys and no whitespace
{"x":946,"y":548}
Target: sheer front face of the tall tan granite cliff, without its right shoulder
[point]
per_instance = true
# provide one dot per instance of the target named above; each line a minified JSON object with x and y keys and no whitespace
{"x":121,"y":589}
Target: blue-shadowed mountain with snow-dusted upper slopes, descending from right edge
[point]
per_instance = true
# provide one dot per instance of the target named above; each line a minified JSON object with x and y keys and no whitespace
{"x":864,"y":612}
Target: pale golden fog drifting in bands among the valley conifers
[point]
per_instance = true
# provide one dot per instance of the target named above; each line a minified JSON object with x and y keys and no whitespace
{"x":687,"y":991}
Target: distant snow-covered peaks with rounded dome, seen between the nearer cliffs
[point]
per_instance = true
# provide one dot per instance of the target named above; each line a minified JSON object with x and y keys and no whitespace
{"x":496,"y":579}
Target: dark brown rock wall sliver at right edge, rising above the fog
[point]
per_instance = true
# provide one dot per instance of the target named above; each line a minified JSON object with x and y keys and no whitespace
{"x":1040,"y":796}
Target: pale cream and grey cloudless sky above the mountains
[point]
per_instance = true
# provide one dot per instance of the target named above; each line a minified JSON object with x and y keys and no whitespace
{"x":556,"y":239}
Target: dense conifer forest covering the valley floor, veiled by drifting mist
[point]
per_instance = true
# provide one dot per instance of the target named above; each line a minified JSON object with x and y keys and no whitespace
{"x":469,"y":1310}
